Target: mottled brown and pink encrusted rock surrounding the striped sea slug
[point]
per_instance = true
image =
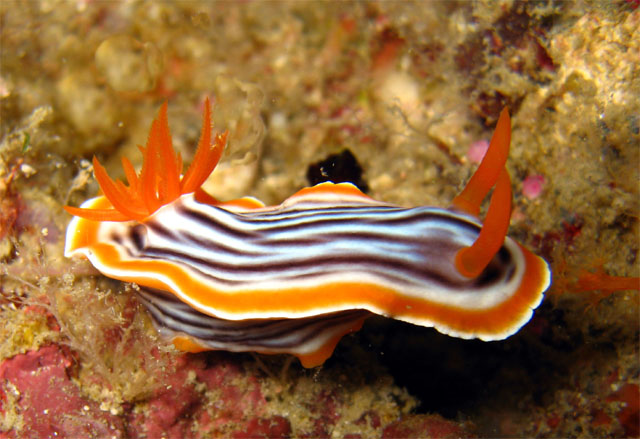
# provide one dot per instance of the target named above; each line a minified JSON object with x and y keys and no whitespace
{"x":408,"y":88}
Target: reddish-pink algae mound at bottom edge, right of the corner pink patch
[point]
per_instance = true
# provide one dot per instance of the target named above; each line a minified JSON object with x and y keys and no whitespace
{"x":220,"y":398}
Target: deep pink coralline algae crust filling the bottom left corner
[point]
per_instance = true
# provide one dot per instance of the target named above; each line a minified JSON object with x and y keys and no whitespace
{"x":37,"y":393}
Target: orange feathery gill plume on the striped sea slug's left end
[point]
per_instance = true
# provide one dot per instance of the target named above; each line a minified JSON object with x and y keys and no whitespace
{"x":160,"y":181}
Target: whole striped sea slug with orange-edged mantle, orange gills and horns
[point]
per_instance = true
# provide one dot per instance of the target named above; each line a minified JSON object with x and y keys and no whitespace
{"x":295,"y":278}
